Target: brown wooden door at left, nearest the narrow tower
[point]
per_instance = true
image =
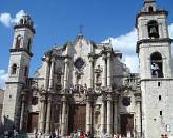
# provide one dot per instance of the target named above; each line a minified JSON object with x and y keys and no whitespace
{"x":32,"y":123}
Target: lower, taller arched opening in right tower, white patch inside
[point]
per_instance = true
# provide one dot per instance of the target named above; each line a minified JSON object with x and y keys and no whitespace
{"x":156,"y":65}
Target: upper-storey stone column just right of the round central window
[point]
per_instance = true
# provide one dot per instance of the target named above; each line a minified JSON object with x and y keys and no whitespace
{"x":91,"y":73}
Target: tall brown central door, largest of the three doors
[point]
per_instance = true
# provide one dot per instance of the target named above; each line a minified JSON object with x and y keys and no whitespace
{"x":76,"y":118}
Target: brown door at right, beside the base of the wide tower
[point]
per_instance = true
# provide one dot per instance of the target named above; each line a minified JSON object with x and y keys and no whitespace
{"x":127,"y":124}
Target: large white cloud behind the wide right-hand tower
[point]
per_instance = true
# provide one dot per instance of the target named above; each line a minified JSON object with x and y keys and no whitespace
{"x":126,"y":43}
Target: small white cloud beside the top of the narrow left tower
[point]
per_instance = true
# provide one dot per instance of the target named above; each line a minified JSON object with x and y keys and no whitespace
{"x":7,"y":19}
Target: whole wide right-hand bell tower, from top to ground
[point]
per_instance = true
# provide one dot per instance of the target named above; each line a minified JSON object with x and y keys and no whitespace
{"x":154,"y":51}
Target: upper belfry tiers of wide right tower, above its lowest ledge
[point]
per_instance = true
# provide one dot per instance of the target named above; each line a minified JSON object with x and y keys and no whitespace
{"x":153,"y":42}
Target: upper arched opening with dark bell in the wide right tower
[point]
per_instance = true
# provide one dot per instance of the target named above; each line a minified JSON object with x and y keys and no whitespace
{"x":153,"y":29}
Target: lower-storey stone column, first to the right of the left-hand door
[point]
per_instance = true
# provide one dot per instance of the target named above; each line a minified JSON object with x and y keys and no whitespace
{"x":42,"y":112}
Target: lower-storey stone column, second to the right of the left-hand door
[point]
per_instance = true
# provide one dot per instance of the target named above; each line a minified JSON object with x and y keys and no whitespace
{"x":49,"y":101}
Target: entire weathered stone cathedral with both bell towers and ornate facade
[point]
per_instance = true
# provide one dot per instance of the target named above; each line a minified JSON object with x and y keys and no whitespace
{"x":85,"y":86}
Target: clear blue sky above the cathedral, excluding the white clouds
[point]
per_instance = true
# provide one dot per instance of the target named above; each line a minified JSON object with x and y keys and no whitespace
{"x":58,"y":21}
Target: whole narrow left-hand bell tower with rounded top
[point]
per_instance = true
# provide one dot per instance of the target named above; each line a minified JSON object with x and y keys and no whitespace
{"x":18,"y":69}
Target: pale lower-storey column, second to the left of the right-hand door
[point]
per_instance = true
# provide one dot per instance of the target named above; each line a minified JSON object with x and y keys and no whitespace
{"x":109,"y":114}
